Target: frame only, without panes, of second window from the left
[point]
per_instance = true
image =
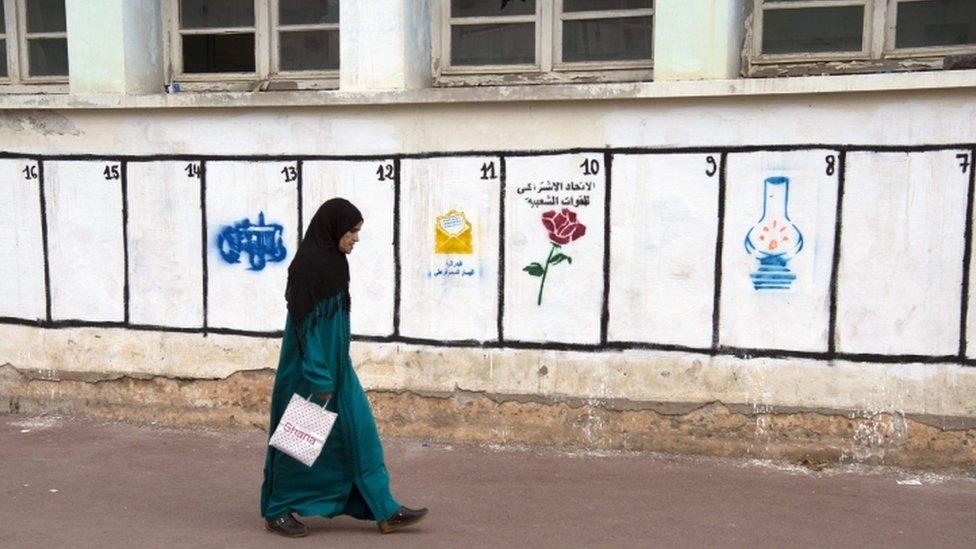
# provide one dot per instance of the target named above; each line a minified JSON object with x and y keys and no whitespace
{"x":267,"y":55}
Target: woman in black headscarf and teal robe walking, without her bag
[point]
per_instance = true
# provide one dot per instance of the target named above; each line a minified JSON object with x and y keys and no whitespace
{"x":349,"y":477}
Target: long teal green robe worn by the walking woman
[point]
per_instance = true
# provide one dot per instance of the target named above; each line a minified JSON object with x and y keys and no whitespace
{"x":349,"y":477}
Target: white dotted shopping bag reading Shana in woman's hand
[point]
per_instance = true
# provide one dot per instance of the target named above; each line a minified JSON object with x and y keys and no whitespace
{"x":302,"y":431}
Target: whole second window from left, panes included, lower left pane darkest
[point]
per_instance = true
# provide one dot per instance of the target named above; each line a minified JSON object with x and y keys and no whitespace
{"x":253,"y":44}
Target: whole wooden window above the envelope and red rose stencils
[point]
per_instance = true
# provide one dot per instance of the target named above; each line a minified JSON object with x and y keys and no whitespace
{"x":526,"y":41}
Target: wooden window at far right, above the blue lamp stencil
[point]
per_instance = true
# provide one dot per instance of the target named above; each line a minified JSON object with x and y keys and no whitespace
{"x":834,"y":36}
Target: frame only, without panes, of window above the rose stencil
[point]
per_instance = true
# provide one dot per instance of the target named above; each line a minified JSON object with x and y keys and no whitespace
{"x":549,"y":67}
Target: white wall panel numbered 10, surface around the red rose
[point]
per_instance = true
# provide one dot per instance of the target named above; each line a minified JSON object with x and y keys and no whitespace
{"x":572,"y":298}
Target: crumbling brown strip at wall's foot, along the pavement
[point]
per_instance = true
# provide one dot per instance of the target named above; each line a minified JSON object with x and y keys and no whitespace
{"x":812,"y":437}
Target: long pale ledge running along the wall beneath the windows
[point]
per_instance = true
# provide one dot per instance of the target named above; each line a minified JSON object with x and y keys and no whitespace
{"x":740,"y":87}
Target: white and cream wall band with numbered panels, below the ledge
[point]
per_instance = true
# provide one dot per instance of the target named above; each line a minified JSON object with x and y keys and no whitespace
{"x":808,"y":252}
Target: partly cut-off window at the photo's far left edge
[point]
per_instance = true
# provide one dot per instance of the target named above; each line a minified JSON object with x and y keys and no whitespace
{"x":33,"y":43}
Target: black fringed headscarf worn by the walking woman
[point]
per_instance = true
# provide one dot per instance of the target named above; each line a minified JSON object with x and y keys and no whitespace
{"x":320,"y":269}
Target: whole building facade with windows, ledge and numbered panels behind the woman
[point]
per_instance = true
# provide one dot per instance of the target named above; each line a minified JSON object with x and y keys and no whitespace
{"x":738,"y":228}
